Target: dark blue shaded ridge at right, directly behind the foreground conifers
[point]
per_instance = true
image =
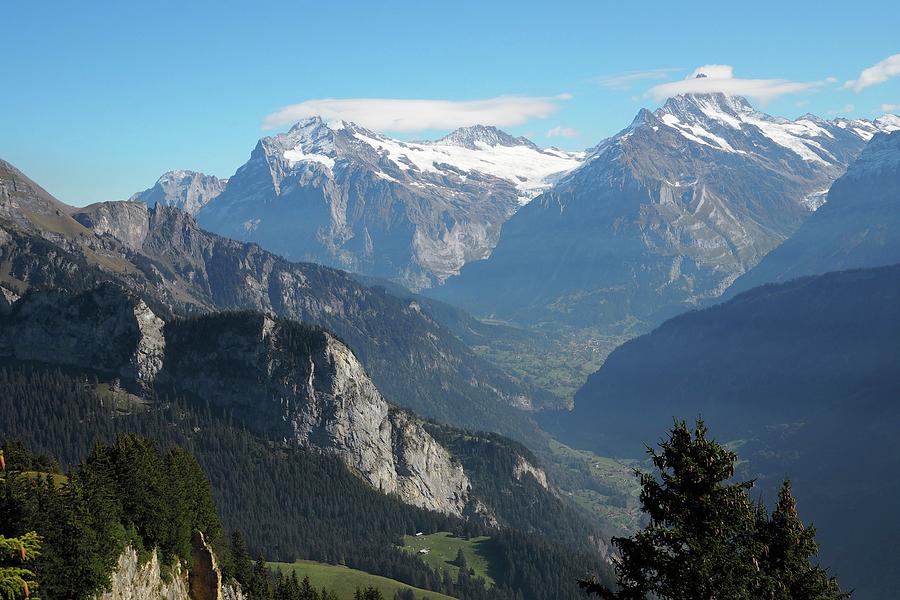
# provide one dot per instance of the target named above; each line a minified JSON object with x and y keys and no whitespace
{"x":803,"y":376}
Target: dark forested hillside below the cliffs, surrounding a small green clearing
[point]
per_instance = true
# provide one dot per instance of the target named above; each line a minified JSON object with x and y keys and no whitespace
{"x":319,"y":509}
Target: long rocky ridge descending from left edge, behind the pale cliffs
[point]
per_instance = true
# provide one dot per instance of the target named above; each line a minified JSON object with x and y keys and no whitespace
{"x":177,"y":268}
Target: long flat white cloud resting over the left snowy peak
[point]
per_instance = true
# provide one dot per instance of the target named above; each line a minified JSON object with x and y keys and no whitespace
{"x":388,"y":114}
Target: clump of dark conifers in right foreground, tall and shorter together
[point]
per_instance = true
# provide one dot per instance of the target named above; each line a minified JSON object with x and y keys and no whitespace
{"x":707,"y":540}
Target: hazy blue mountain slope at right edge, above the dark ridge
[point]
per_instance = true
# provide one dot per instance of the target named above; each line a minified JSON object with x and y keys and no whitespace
{"x":858,"y":226}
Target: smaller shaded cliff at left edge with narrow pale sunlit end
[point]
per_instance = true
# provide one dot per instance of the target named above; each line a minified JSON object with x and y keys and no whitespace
{"x":106,"y":329}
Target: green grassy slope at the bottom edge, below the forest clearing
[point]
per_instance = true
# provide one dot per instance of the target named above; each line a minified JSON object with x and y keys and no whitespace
{"x":344,"y":581}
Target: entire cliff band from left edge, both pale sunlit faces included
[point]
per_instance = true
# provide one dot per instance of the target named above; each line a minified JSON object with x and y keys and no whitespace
{"x":283,"y":379}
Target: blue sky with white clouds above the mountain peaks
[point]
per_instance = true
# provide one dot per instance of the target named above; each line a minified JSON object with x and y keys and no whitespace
{"x":98,"y":99}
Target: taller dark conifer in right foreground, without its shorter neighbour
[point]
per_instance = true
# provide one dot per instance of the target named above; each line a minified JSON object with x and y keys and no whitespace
{"x":700,"y":541}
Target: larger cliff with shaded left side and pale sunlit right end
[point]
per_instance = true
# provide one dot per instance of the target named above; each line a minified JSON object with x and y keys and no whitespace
{"x":305,"y":385}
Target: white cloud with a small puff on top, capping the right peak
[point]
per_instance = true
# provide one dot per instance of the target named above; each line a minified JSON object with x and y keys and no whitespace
{"x":720,"y":78}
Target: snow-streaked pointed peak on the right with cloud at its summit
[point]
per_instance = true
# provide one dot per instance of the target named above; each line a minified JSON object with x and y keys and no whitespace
{"x":663,"y":215}
